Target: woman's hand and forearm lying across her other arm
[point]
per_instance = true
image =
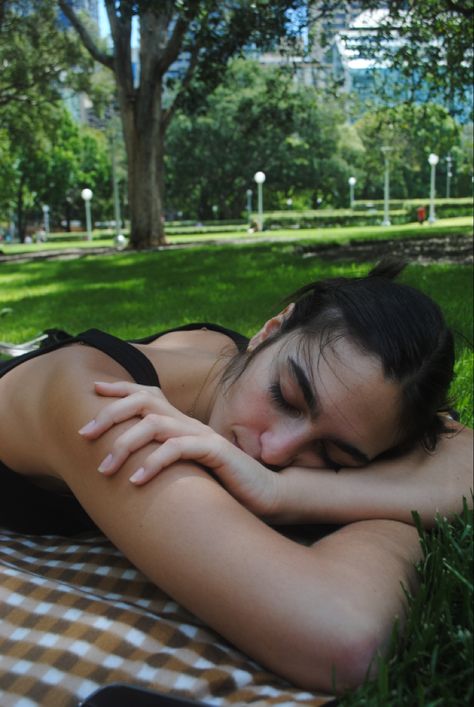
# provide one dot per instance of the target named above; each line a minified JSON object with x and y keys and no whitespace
{"x":428,"y":483}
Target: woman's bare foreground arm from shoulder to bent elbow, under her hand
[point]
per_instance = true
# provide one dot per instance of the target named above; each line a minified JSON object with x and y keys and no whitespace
{"x":303,"y":612}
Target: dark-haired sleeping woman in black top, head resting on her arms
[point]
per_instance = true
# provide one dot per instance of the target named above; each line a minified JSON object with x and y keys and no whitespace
{"x":197,"y":444}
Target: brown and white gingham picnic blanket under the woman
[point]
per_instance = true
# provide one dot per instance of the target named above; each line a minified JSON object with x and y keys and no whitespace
{"x":75,"y":616}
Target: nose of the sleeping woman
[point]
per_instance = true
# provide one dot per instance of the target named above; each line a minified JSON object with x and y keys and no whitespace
{"x":280,"y":445}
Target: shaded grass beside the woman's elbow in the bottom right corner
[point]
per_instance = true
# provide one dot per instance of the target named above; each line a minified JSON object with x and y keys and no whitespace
{"x":430,"y":665}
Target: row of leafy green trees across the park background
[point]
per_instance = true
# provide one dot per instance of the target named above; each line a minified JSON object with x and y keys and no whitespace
{"x":230,"y":117}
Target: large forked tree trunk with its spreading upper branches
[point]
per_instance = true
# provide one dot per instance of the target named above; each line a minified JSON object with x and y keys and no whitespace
{"x":184,"y":50}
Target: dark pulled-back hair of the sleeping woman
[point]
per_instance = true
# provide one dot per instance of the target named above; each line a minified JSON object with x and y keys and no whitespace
{"x":397,"y":323}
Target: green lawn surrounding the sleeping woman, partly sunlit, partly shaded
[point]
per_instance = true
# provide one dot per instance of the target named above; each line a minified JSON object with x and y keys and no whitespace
{"x":132,"y":294}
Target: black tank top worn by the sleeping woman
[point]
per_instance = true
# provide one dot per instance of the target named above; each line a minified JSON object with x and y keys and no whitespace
{"x":28,"y":508}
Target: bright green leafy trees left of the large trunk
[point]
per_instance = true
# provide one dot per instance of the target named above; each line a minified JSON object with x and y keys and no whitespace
{"x":48,"y":159}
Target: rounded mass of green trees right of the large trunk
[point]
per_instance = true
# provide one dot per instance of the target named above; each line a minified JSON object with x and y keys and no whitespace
{"x":309,"y":152}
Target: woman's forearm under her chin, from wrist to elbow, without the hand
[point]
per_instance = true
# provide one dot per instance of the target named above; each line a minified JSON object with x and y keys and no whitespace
{"x":426,"y":483}
